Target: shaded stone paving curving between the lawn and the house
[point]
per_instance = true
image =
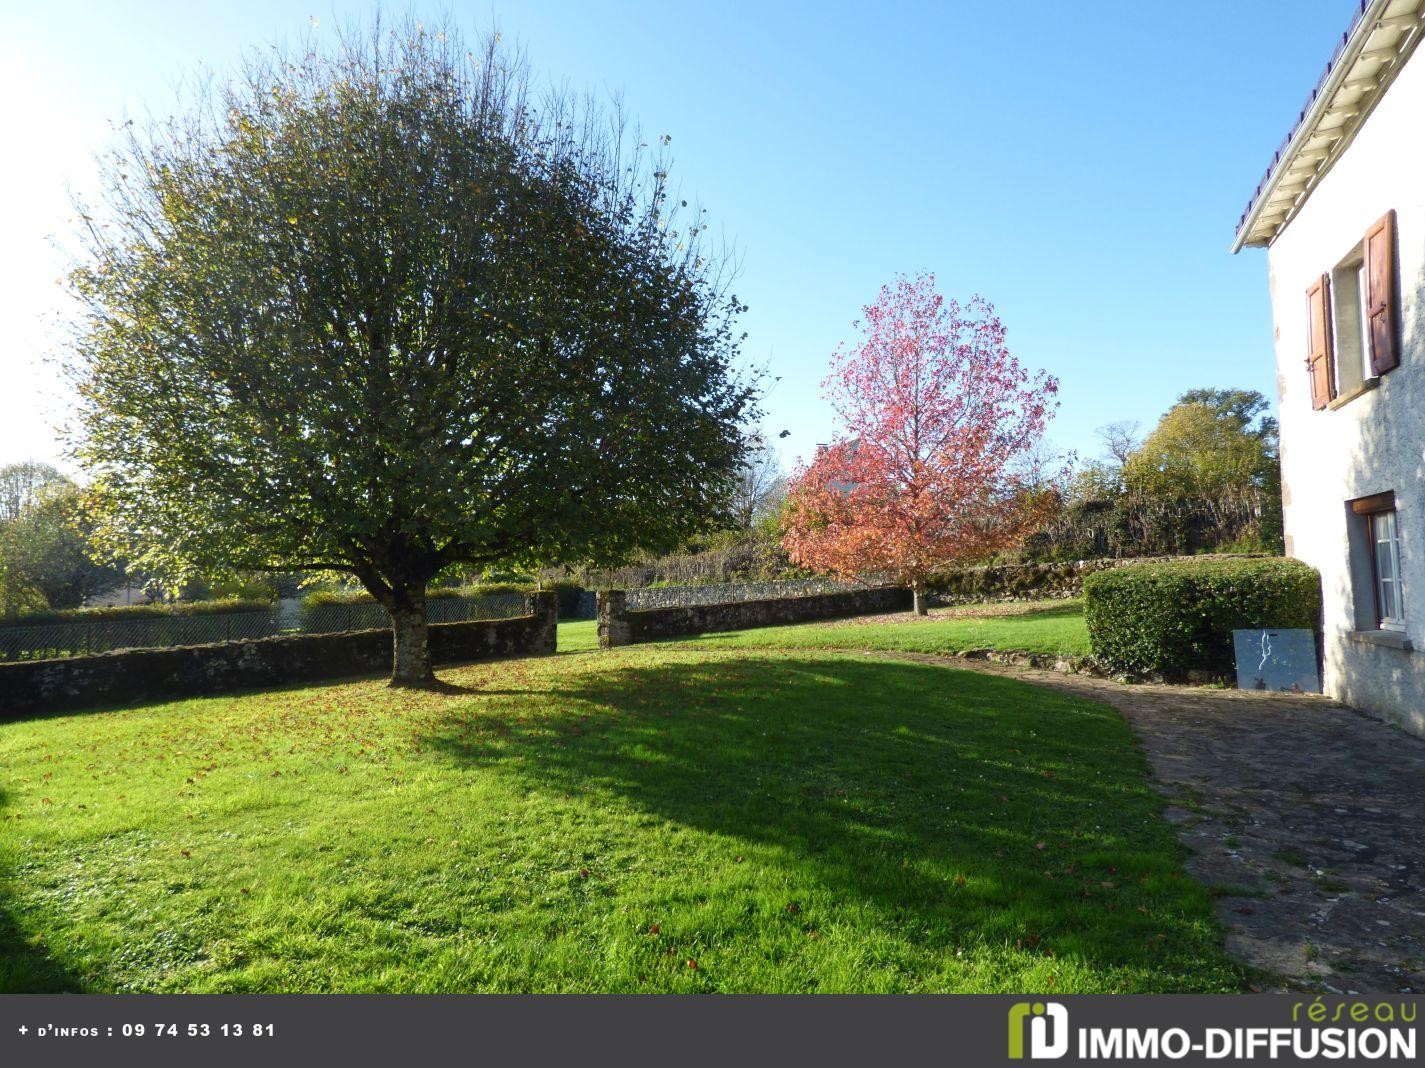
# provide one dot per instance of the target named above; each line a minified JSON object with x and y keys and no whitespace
{"x":1305,"y":819}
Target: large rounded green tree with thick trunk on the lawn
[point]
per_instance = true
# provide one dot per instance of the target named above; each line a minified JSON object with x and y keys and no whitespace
{"x":375,"y":310}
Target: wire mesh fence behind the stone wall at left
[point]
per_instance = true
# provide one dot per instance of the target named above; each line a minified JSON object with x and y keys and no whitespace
{"x":51,"y":641}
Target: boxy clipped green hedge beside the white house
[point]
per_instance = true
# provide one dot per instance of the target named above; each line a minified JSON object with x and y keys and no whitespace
{"x":1179,"y":617}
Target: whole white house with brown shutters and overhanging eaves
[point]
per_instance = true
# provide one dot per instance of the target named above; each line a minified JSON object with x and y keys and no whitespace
{"x":1342,"y":213}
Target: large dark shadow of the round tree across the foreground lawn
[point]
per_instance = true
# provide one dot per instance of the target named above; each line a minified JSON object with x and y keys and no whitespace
{"x":961,"y":808}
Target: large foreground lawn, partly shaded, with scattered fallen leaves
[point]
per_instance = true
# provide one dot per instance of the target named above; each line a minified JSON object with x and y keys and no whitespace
{"x":668,"y":818}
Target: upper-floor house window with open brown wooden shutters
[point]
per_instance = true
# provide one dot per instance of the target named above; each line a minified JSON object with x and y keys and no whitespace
{"x":1353,"y":312}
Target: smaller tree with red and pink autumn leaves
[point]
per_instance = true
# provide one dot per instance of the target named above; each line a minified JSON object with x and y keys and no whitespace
{"x":938,"y":461}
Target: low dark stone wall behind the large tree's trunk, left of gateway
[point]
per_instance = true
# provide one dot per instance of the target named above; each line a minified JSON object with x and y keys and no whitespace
{"x":142,"y":675}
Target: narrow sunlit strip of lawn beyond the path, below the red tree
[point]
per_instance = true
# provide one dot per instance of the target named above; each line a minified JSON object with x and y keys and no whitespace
{"x":1031,"y":628}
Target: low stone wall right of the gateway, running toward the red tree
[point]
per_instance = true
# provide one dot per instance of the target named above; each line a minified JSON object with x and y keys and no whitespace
{"x":621,"y":627}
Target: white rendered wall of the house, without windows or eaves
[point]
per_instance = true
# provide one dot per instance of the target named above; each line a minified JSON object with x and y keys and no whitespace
{"x":1374,"y":443}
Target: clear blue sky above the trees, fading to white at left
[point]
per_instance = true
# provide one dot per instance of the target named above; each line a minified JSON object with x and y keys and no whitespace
{"x":1082,"y":166}
